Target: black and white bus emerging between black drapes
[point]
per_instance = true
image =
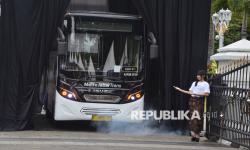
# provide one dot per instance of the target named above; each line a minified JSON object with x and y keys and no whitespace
{"x":98,"y":71}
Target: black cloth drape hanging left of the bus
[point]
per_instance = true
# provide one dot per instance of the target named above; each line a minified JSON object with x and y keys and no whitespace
{"x":29,"y":28}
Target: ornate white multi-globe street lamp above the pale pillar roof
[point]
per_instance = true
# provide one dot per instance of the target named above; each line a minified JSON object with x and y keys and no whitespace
{"x":221,"y":22}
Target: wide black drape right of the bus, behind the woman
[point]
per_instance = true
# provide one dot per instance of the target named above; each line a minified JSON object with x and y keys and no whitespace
{"x":182,"y":29}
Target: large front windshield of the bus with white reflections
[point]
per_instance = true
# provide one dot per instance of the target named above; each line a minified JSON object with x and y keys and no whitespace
{"x":102,"y":49}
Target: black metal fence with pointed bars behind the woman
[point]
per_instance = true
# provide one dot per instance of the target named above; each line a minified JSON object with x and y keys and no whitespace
{"x":229,"y":104}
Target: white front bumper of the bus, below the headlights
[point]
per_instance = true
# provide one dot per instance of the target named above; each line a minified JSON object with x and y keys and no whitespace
{"x":68,"y":110}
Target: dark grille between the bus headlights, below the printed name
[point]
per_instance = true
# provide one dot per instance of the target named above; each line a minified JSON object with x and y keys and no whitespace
{"x":102,"y":98}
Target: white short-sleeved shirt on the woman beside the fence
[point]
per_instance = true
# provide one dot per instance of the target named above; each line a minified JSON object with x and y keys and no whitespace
{"x":201,"y":88}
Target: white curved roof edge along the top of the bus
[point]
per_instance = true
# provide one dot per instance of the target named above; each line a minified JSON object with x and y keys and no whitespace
{"x":107,"y":15}
